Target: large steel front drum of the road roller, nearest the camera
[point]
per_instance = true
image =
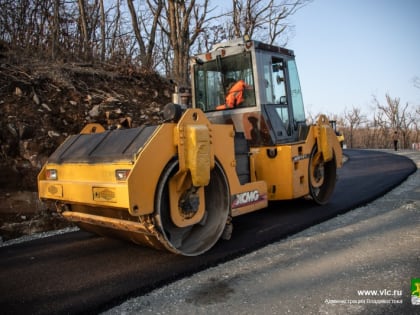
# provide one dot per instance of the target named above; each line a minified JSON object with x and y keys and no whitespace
{"x":198,"y":238}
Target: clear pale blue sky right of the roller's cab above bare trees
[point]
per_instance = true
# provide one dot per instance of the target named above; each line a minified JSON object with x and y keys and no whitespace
{"x":349,"y":51}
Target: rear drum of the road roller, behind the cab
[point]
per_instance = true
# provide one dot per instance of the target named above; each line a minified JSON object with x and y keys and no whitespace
{"x":322,"y":177}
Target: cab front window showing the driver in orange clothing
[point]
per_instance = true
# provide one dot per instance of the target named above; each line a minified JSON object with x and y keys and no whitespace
{"x":224,"y":83}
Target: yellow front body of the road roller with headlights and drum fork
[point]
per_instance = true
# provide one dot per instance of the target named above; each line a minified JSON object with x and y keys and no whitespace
{"x":89,"y":192}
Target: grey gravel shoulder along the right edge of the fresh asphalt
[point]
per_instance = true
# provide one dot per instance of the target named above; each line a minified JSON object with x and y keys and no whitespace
{"x":321,"y":270}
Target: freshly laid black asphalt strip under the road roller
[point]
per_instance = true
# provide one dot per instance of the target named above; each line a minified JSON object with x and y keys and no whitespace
{"x":81,"y":273}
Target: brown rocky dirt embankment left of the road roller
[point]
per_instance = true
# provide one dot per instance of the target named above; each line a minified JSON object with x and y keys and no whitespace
{"x":41,"y":103}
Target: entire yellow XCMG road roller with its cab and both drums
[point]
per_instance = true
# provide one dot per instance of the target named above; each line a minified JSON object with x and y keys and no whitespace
{"x":178,"y":185}
